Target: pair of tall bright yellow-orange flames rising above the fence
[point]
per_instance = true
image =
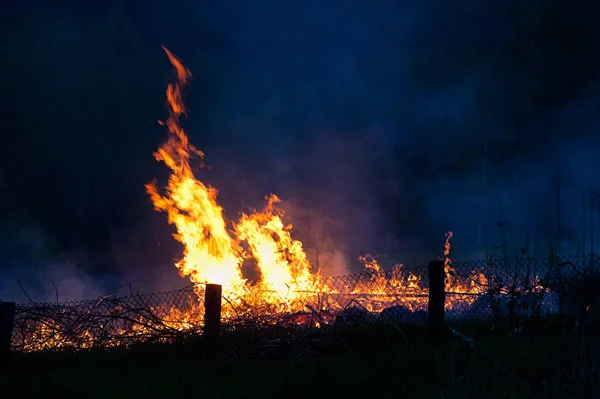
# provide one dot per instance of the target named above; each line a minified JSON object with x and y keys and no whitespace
{"x":214,"y":254}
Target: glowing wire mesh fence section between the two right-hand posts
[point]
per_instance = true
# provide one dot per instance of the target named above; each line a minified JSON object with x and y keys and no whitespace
{"x":358,"y":299}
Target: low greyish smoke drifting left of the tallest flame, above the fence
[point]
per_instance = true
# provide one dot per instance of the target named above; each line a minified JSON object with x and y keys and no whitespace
{"x":33,"y":271}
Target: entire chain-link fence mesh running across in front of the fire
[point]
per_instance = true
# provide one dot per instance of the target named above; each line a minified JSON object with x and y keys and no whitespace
{"x":490,"y":289}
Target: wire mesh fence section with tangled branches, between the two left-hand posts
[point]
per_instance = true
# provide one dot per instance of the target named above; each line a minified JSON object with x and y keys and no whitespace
{"x":107,"y":321}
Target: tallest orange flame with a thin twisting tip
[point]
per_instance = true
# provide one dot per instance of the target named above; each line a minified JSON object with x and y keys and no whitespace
{"x":210,"y":254}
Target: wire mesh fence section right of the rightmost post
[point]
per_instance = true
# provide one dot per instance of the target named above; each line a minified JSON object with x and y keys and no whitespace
{"x":516,"y":289}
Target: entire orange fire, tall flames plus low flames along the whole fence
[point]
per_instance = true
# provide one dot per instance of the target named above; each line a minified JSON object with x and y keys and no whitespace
{"x":216,"y":249}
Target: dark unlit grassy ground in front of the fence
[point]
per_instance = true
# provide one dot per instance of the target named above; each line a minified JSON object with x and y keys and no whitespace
{"x":555,"y":358}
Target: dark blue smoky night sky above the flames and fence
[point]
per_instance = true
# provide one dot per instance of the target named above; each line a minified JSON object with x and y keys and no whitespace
{"x":387,"y":122}
